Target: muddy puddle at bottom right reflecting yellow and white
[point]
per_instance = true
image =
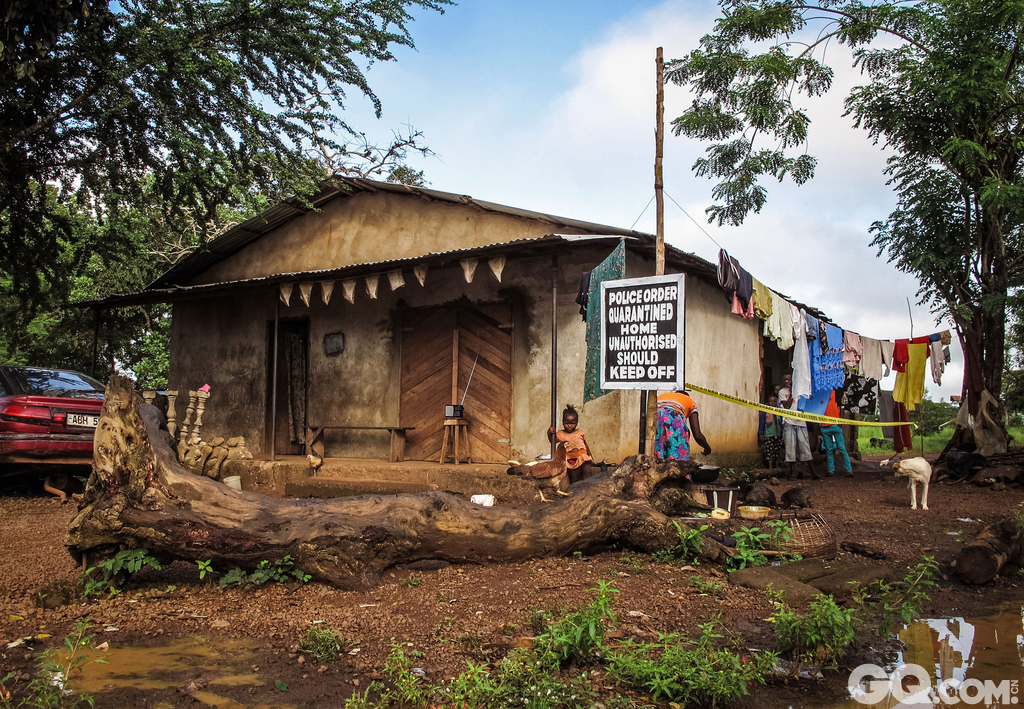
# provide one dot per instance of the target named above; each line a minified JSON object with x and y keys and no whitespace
{"x":953,"y":662}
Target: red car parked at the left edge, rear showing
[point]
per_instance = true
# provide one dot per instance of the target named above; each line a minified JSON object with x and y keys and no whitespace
{"x":48,"y":416}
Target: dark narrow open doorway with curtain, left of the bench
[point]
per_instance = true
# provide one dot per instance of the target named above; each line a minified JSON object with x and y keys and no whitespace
{"x":288,"y":432}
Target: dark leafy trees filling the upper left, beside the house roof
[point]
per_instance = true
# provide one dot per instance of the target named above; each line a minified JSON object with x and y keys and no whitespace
{"x":134,"y":132}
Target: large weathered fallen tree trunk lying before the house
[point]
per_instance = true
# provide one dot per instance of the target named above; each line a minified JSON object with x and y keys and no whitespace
{"x":140,"y":496}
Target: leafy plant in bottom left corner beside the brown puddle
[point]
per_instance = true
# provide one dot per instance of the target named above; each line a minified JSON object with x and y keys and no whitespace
{"x":50,"y":690}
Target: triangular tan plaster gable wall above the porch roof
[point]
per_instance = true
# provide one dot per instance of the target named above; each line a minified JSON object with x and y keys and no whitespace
{"x":371,"y":228}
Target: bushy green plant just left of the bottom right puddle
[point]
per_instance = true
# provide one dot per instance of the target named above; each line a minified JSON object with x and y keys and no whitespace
{"x":822,"y":636}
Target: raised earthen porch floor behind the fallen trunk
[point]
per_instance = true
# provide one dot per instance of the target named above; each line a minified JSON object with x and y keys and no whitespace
{"x":292,"y":477}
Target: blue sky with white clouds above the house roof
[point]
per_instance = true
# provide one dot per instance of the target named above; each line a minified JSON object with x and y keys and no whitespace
{"x":550,"y":106}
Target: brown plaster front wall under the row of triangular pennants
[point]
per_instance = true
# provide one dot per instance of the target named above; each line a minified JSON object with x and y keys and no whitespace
{"x":224,"y":342}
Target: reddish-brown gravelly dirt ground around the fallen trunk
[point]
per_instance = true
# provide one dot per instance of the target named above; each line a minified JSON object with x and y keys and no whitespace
{"x":452,"y":615}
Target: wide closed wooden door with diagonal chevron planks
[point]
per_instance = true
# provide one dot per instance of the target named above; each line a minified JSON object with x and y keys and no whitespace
{"x":439,"y":351}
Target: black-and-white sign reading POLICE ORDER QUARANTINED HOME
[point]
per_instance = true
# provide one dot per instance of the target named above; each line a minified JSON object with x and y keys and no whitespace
{"x":643,"y":333}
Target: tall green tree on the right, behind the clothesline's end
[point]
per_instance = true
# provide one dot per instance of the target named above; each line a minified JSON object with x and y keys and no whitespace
{"x":944,"y":93}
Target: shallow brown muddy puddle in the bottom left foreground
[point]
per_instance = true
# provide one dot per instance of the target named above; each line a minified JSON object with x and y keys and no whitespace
{"x":196,"y":665}
